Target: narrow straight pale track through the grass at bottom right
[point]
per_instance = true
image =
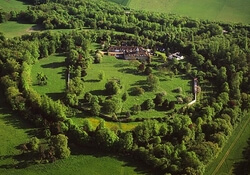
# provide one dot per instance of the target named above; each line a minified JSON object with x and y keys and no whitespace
{"x":231,"y":147}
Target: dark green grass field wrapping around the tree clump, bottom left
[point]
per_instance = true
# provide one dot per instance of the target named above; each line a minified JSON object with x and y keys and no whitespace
{"x":14,"y":131}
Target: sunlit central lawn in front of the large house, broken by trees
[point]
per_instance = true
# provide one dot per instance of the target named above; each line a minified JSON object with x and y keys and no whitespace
{"x":120,"y":69}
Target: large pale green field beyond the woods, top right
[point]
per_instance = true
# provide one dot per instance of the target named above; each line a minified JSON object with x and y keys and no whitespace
{"x":215,"y":10}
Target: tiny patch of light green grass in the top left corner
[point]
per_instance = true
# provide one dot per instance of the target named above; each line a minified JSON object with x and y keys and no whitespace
{"x":12,"y":5}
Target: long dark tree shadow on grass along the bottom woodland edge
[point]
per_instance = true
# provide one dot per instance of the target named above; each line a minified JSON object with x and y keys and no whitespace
{"x":139,"y":166}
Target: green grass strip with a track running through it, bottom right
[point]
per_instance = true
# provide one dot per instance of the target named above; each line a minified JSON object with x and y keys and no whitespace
{"x":232,"y":152}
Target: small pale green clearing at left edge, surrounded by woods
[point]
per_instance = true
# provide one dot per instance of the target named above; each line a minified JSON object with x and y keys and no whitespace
{"x":12,"y":29}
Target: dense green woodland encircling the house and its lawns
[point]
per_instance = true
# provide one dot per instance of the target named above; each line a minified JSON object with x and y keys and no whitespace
{"x":183,"y":143}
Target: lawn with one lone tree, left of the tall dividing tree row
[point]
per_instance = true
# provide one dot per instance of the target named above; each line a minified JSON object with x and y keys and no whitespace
{"x":54,"y":68}
